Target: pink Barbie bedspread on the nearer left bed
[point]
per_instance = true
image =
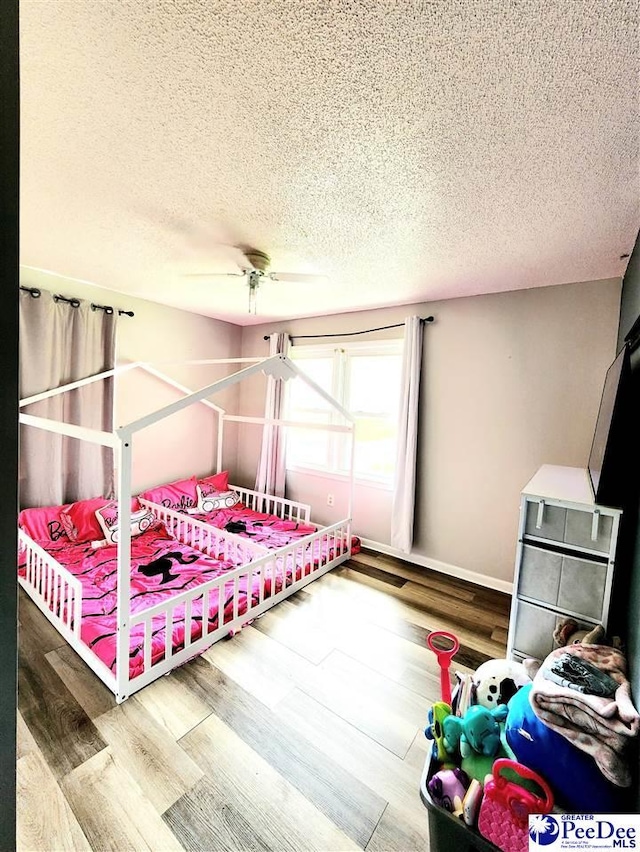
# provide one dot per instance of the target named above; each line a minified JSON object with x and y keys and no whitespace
{"x":161,"y":567}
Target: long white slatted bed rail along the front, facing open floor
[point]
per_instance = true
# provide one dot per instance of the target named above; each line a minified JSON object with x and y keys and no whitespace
{"x":233,"y":599}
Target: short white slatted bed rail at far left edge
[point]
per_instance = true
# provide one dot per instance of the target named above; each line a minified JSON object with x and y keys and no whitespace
{"x":51,"y":587}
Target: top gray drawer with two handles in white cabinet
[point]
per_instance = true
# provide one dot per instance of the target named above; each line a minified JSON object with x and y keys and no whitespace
{"x":569,"y":526}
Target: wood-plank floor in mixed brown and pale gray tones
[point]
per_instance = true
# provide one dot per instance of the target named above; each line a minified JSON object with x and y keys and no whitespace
{"x":303,"y":732}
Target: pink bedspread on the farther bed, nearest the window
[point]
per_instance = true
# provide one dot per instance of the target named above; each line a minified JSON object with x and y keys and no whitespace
{"x":267,"y":530}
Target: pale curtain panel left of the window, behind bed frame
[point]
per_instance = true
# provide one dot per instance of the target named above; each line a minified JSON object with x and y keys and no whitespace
{"x":272,"y":469}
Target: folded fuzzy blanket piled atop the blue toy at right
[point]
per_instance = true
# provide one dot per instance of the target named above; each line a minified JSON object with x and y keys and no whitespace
{"x":600,"y":724}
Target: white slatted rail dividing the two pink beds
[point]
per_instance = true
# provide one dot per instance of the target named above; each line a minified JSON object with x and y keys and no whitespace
{"x":207,"y":539}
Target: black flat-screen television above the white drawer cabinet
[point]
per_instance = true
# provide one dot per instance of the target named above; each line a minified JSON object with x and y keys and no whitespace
{"x":609,"y":445}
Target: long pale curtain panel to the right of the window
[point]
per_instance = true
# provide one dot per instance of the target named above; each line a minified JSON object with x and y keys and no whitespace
{"x":404,"y":493}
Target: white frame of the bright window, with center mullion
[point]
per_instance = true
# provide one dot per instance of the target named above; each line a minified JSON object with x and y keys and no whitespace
{"x":341,"y":376}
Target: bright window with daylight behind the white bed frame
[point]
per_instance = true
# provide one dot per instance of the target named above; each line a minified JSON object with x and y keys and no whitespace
{"x":365,"y":379}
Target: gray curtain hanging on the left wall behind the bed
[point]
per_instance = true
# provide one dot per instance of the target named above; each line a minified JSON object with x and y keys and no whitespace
{"x":61,"y":344}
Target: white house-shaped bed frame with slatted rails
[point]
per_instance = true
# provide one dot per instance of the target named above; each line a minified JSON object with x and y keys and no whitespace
{"x":45,"y":586}
